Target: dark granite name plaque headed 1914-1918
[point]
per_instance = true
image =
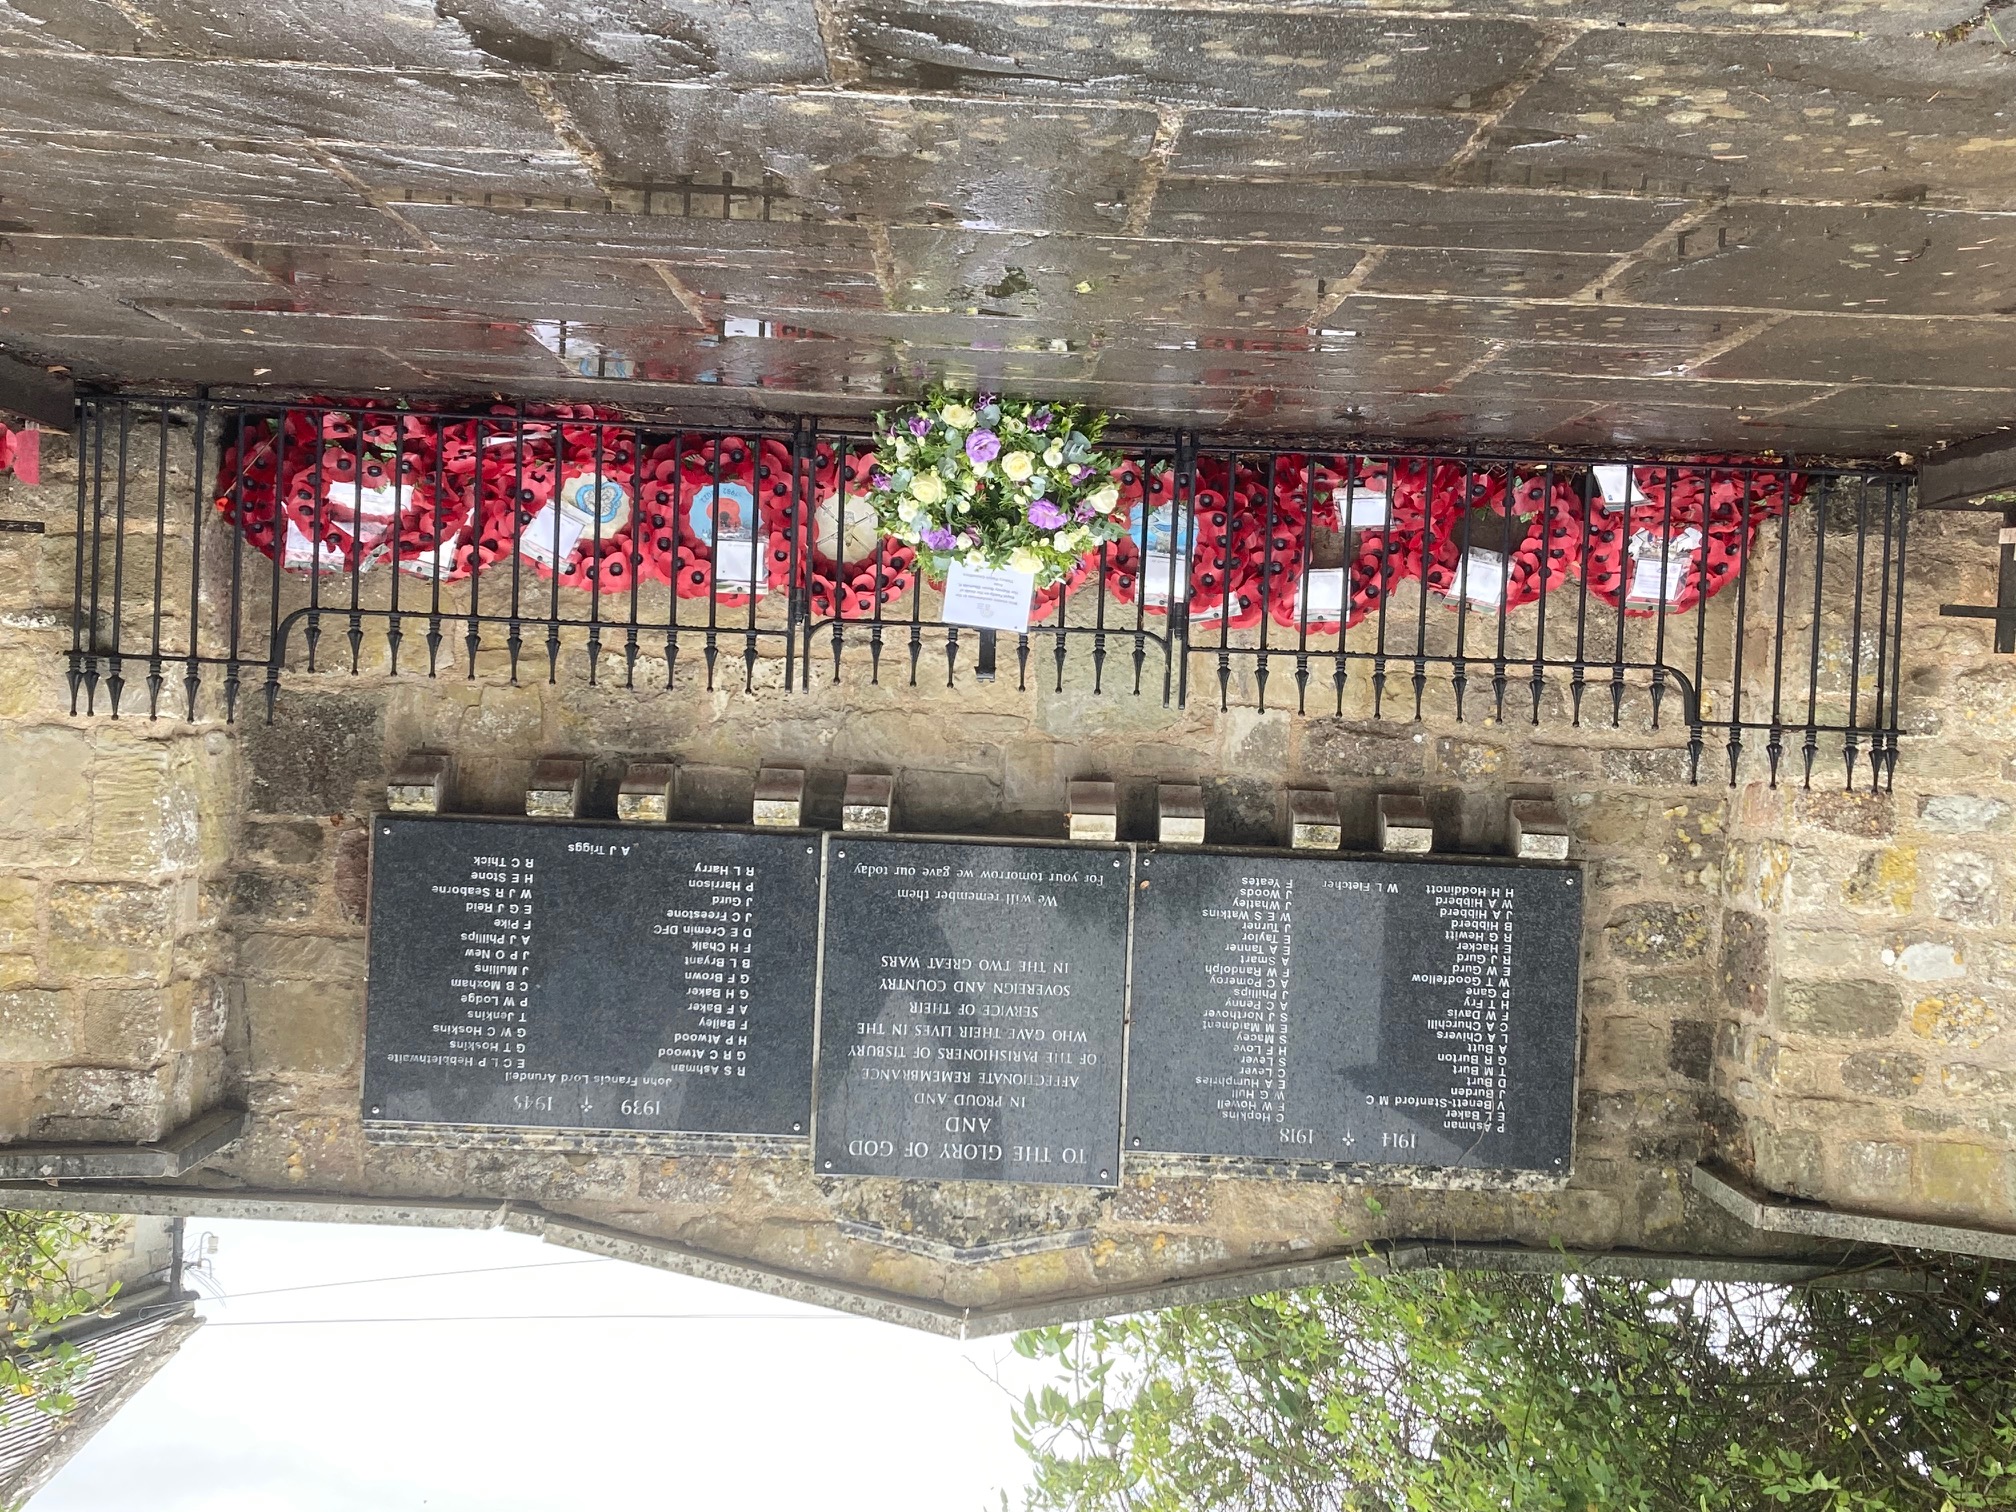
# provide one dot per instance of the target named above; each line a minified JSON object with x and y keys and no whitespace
{"x":1392,"y":1013}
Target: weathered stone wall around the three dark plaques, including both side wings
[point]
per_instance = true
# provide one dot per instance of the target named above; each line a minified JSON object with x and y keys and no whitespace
{"x":1805,"y":983}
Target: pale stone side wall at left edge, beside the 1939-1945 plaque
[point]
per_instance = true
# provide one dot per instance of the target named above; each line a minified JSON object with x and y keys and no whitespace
{"x":114,"y":854}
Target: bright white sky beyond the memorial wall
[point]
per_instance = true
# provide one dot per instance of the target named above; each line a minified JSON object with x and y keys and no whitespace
{"x":652,"y":1392}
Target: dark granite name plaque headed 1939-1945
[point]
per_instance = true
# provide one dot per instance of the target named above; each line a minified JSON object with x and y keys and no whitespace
{"x":592,"y":977}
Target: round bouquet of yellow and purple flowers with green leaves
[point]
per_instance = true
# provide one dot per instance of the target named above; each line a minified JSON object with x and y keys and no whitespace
{"x":997,"y":483}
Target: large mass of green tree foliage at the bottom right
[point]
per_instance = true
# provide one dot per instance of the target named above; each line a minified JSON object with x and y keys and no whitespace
{"x":1485,"y":1392}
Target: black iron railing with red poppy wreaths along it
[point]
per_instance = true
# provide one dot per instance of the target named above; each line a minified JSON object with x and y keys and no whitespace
{"x":223,"y":545}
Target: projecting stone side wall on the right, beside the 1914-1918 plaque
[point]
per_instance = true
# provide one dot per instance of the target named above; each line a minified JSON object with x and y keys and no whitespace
{"x":1872,"y":1065}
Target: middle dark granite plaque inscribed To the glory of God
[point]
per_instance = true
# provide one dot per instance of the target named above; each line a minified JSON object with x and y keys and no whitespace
{"x":971,"y":1011}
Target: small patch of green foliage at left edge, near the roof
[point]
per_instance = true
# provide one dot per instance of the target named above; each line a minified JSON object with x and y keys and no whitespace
{"x":39,"y":1372}
